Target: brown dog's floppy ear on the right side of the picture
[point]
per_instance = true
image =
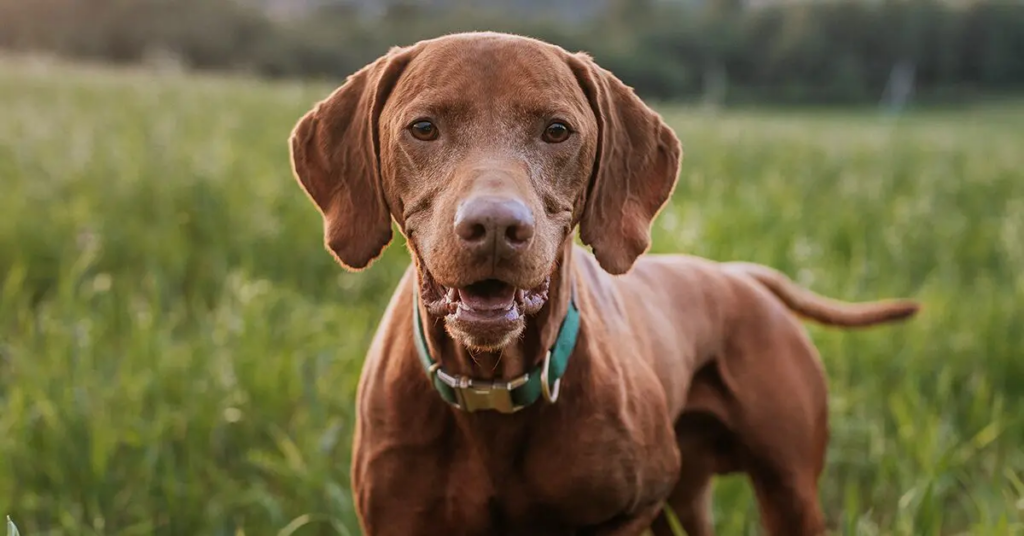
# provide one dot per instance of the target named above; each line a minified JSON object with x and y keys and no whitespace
{"x":635,"y":170}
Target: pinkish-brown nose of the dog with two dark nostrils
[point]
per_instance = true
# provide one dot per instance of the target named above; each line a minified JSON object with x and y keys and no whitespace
{"x":497,"y":225}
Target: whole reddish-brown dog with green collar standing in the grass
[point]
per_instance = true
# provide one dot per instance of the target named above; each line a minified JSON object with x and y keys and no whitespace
{"x":520,"y":384}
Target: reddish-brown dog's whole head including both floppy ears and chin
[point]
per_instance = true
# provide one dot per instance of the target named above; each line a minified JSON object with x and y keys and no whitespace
{"x":488,"y":150}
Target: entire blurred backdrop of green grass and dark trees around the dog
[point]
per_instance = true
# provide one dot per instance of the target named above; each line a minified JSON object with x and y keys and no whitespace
{"x":179,"y":354}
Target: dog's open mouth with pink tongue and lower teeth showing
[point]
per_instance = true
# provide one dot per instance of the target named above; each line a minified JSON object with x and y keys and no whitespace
{"x":491,"y":302}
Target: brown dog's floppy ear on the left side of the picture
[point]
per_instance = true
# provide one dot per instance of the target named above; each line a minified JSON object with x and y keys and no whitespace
{"x":335,"y":156}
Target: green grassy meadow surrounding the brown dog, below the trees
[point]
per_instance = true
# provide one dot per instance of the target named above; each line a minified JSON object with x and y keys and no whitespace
{"x":179,"y":355}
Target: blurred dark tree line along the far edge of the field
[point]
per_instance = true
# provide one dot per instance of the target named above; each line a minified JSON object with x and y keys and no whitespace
{"x":824,"y":52}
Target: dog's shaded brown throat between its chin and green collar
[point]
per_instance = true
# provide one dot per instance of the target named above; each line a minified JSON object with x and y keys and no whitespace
{"x":521,"y":356}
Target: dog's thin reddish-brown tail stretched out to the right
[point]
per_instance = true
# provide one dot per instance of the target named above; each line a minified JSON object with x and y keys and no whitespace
{"x":824,"y":310}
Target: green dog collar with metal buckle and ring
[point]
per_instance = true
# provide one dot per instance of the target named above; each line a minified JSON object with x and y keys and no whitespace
{"x":506,"y":397}
